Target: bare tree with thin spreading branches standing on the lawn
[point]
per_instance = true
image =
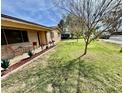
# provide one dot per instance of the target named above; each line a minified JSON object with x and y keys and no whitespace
{"x":92,"y":14}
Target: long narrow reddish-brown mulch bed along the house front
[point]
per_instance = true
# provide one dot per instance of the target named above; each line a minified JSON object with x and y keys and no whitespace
{"x":22,"y":62}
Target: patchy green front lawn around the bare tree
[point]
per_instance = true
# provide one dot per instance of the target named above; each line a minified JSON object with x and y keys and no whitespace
{"x":59,"y":71}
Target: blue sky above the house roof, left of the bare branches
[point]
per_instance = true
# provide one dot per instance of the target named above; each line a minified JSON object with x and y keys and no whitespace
{"x":39,"y":11}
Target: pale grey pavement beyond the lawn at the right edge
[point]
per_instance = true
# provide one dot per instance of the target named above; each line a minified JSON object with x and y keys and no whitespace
{"x":114,"y":39}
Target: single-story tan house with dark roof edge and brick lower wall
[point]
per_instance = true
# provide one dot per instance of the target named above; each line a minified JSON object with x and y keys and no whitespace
{"x":17,"y":33}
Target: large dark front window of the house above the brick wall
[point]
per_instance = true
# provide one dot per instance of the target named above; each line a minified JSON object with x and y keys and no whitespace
{"x":13,"y":36}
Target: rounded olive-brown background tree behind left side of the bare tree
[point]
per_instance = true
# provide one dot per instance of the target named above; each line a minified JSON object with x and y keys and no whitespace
{"x":72,"y":24}
